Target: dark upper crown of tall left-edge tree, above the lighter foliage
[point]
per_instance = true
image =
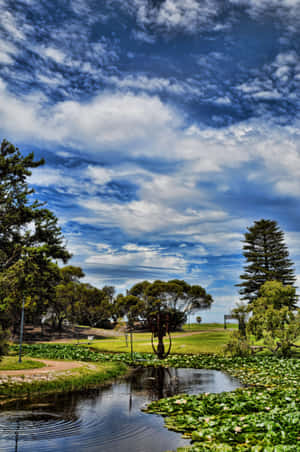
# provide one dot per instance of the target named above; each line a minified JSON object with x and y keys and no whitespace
{"x":24,"y":223}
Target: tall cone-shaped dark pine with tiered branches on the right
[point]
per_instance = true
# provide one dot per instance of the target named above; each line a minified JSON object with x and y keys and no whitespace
{"x":267,"y":259}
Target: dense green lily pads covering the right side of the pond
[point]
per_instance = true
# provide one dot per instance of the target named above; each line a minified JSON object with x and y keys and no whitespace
{"x":264,"y":416}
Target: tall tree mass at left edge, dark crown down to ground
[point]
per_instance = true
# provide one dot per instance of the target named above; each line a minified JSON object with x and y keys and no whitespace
{"x":29,"y":239}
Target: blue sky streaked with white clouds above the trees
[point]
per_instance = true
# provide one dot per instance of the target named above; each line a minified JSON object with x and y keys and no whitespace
{"x":168,"y":127}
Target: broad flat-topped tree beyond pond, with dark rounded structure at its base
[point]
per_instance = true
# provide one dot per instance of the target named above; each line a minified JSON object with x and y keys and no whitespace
{"x":162,"y":307}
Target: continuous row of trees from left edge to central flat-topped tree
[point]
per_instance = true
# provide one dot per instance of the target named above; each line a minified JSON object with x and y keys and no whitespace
{"x":31,"y":244}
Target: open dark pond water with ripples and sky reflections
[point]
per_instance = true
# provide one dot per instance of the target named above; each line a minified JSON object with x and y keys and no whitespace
{"x":109,"y":419}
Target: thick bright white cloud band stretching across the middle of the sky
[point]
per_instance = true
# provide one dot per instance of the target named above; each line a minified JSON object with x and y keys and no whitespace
{"x":144,"y":126}
